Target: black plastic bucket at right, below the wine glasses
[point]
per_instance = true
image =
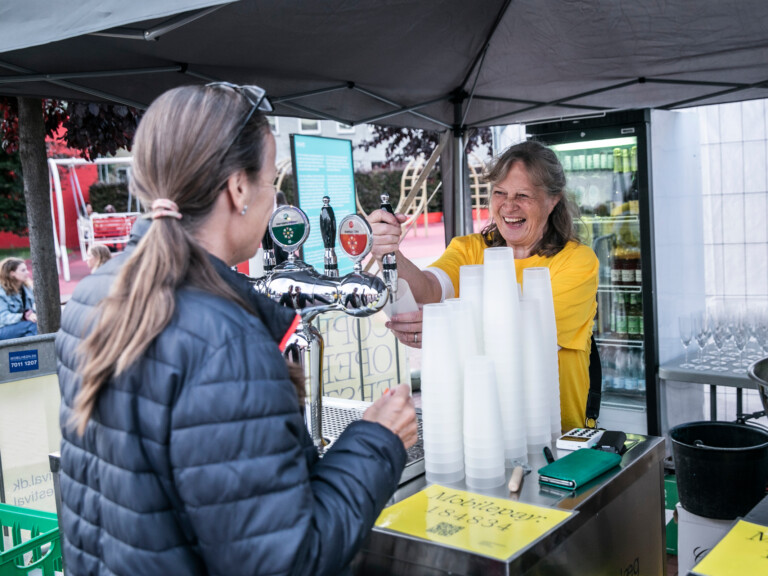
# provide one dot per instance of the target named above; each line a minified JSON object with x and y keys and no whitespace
{"x":721,"y":468}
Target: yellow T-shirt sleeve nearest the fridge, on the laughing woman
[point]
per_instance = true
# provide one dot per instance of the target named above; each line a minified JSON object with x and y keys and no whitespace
{"x":574,"y":287}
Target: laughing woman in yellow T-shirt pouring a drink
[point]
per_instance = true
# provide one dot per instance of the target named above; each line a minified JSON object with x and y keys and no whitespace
{"x":530,"y":213}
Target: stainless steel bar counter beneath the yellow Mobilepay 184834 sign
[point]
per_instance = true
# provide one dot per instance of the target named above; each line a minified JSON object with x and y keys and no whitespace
{"x":619,"y":527}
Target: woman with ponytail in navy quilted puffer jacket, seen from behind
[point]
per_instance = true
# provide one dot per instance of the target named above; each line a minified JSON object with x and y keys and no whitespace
{"x":184,"y":450}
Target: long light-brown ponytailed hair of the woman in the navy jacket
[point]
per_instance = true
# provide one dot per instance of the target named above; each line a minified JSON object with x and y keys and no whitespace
{"x":181,"y":152}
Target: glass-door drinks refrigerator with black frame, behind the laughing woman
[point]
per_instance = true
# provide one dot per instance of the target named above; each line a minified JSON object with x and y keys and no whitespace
{"x":608,"y":168}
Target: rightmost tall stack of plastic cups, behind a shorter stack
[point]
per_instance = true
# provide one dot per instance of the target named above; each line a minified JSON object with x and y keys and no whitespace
{"x":538,"y":285}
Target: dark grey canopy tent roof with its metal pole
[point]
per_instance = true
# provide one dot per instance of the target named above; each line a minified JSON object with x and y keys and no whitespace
{"x":434,"y":64}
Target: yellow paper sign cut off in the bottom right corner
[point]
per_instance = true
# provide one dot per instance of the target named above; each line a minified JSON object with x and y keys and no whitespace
{"x":744,"y":550}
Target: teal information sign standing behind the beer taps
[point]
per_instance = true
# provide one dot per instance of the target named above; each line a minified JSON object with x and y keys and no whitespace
{"x":323,"y":167}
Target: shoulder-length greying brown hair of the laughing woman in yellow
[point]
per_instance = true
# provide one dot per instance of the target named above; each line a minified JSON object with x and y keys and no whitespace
{"x":547,"y":173}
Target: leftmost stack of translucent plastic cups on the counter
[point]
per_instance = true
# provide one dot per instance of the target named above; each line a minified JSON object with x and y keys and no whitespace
{"x":442,"y":397}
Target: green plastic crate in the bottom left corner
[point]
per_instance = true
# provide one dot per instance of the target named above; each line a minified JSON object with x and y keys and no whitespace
{"x":35,"y":542}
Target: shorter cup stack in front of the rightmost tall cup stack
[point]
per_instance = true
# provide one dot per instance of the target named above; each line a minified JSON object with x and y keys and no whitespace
{"x":537,"y":394}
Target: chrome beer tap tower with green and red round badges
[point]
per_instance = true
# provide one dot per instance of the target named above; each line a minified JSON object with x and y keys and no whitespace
{"x":358,"y":294}
